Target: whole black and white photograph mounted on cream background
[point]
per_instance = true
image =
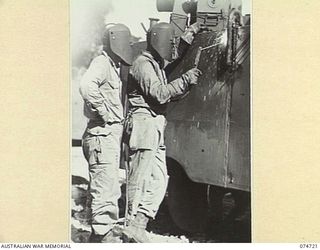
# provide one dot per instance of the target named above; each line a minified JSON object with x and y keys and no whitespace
{"x":161,"y":121}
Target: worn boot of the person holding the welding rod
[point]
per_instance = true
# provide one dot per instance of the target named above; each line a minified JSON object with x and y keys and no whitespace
{"x":136,"y":230}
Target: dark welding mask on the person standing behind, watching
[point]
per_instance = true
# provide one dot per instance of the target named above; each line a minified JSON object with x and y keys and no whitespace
{"x":116,"y":41}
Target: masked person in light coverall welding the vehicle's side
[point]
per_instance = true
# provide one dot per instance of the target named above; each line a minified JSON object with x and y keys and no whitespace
{"x":148,"y":94}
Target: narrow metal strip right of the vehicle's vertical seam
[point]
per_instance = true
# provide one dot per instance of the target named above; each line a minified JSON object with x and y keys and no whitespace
{"x":239,"y":141}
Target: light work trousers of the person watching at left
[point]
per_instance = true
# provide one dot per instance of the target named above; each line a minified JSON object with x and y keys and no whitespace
{"x":101,"y":148}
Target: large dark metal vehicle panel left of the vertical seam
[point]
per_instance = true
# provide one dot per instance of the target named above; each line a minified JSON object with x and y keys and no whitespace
{"x":196,"y":129}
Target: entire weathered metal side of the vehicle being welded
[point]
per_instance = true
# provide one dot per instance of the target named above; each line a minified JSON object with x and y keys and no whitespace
{"x":208,"y":132}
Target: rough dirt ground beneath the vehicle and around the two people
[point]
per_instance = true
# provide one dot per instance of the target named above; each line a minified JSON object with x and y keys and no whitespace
{"x":232,"y":227}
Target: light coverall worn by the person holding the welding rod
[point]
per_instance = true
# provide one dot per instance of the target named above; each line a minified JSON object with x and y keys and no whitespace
{"x":147,"y":157}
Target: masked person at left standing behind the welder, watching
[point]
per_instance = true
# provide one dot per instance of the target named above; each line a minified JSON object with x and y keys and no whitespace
{"x":101,"y":88}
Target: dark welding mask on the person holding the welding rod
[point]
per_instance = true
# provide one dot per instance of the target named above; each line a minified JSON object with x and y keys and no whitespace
{"x":161,"y":39}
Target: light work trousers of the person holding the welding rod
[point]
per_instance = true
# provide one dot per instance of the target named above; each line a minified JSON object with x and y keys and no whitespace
{"x":148,"y":177}
